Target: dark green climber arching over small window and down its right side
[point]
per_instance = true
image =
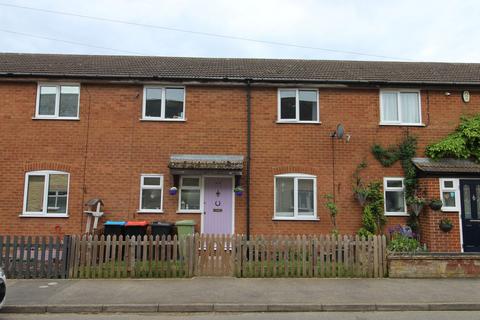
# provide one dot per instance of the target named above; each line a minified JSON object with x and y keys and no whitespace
{"x":403,"y":152}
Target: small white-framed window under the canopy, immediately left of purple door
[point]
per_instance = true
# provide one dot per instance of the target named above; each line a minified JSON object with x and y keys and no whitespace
{"x":190,"y":197}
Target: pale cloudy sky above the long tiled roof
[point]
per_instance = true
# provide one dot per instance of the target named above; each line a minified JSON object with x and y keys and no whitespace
{"x":418,"y":30}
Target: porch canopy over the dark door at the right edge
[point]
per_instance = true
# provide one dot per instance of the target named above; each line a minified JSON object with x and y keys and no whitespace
{"x":446,"y":167}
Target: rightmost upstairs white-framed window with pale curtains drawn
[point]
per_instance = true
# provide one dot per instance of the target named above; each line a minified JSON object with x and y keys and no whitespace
{"x":400,"y":107}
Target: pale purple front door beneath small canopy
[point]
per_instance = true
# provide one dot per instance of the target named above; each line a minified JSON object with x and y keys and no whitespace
{"x":218,"y":215}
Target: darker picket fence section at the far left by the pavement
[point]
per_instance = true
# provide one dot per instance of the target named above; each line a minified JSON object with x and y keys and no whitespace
{"x":26,"y":257}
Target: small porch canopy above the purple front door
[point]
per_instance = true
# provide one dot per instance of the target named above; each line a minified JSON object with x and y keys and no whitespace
{"x":203,"y":164}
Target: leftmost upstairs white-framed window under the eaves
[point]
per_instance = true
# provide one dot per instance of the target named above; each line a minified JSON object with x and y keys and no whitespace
{"x":58,"y":101}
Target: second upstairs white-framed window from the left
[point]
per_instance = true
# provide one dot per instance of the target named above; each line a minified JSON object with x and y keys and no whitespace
{"x":163,"y":103}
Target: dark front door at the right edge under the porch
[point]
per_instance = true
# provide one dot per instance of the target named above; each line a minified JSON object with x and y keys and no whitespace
{"x":470,"y":216}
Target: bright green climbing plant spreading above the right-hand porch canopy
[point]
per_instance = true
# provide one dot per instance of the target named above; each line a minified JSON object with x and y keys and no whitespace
{"x":464,"y":142}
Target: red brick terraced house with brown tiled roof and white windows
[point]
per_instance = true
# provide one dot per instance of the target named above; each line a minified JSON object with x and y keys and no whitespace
{"x":128,"y":129}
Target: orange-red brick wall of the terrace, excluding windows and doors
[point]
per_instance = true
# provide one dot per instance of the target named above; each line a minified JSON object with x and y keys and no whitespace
{"x":107,"y":150}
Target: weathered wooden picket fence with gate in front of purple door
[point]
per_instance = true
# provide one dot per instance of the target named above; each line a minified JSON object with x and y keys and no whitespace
{"x":220,"y":255}
